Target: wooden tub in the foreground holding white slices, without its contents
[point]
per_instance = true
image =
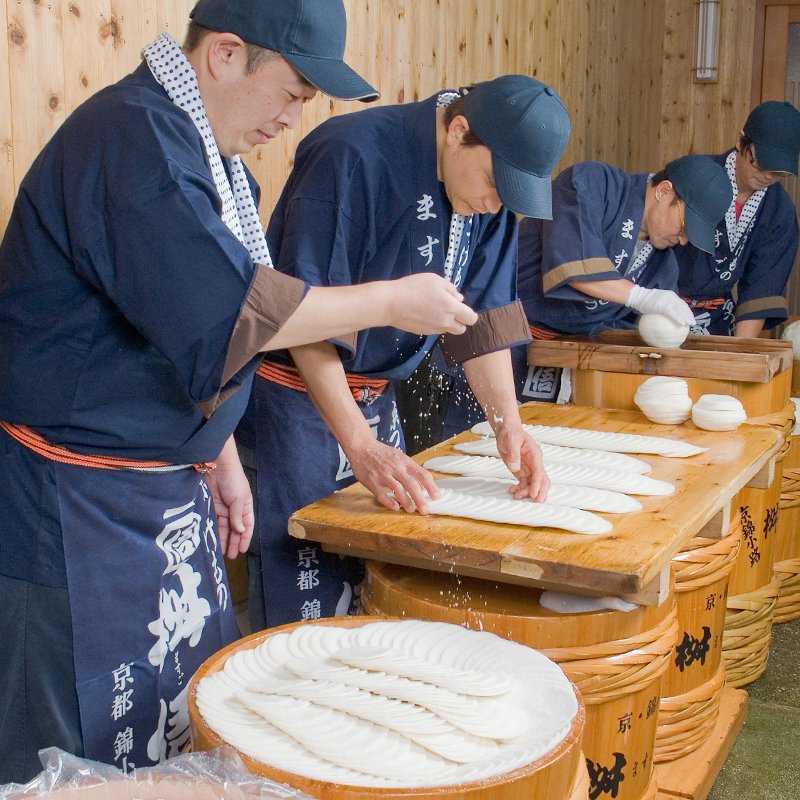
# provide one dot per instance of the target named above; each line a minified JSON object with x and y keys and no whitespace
{"x":556,"y":774}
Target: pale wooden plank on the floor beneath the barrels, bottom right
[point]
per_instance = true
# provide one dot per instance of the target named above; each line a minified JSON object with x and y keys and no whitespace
{"x":693,"y":776}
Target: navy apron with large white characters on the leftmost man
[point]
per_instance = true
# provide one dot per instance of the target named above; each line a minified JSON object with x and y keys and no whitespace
{"x":150,"y":603}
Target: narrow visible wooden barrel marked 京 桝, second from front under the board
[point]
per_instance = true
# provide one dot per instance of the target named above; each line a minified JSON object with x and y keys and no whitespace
{"x":693,"y":683}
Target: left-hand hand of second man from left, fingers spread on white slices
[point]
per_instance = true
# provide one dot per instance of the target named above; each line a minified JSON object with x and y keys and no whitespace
{"x":383,"y":469}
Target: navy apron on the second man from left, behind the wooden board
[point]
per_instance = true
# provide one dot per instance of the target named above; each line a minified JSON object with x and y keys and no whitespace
{"x":299,"y":462}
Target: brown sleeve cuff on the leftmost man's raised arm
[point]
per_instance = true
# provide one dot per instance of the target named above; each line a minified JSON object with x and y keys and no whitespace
{"x":272,"y":299}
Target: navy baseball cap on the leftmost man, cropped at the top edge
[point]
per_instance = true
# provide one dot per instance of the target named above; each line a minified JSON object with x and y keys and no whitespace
{"x":309,"y":34}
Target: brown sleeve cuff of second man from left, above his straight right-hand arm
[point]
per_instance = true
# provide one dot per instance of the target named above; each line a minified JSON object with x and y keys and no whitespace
{"x":496,"y":329}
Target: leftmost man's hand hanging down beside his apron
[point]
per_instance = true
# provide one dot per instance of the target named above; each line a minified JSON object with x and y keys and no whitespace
{"x":233,"y":502}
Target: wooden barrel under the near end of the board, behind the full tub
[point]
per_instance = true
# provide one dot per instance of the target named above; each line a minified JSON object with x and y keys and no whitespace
{"x":616,"y":658}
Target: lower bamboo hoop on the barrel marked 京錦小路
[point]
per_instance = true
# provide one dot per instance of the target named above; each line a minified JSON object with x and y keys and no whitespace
{"x":748,"y":631}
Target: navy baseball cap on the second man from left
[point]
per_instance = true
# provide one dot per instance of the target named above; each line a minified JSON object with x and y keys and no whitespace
{"x":526,"y":127}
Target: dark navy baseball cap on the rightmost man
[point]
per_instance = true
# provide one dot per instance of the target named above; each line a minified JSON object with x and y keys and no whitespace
{"x":774,"y":127}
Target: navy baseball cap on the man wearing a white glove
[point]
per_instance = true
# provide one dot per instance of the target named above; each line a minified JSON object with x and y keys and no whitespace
{"x":705,"y":188}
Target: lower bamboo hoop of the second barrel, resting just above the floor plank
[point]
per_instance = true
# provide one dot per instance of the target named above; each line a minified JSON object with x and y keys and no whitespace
{"x":686,"y":720}
